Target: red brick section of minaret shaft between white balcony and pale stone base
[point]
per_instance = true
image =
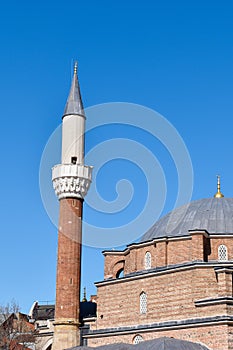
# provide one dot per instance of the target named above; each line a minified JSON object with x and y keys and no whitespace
{"x":69,"y":258}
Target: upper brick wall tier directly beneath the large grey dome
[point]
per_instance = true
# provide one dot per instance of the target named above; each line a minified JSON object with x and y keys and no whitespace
{"x":196,"y":247}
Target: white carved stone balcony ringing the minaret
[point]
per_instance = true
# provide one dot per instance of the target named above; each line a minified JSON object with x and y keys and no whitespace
{"x":71,"y":180}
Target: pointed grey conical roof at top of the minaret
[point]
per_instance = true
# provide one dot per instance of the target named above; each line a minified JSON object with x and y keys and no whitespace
{"x":74,"y":104}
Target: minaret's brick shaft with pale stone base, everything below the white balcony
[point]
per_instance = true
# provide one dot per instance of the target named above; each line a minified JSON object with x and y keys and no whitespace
{"x":68,"y":274}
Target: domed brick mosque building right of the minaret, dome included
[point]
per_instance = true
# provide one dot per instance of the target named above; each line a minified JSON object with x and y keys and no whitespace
{"x":177,"y":282}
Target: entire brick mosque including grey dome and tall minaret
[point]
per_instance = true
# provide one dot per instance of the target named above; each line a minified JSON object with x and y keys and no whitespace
{"x":172,"y":290}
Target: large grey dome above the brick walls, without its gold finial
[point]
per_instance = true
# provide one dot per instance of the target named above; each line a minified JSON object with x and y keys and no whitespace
{"x":214,"y":215}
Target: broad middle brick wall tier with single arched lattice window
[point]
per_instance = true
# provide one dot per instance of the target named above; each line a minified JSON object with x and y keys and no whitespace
{"x":170,"y":296}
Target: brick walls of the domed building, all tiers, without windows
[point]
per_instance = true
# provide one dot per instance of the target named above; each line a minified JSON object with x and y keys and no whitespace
{"x":176,"y":293}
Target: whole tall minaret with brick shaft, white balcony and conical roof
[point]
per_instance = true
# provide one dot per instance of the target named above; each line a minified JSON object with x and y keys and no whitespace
{"x":71,"y":180}
